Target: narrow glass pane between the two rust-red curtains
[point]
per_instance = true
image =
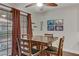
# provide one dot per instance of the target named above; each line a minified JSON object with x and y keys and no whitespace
{"x":23,"y":25}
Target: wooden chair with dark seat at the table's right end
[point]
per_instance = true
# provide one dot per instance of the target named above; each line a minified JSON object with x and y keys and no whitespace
{"x":55,"y":51}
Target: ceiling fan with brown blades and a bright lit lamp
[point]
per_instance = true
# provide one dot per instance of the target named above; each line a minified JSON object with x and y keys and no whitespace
{"x":42,"y":4}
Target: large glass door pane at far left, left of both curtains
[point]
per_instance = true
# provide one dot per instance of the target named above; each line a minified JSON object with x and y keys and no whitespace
{"x":5,"y":32}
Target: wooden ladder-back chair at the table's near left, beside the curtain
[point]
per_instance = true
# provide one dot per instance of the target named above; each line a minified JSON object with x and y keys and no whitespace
{"x":25,"y":48}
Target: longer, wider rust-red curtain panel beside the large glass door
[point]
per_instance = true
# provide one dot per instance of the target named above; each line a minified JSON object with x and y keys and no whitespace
{"x":15,"y":30}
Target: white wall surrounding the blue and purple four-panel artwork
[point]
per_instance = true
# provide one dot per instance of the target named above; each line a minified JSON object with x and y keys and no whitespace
{"x":71,"y":28}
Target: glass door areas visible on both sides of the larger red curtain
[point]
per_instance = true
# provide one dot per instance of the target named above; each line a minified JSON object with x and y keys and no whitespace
{"x":6,"y":31}
